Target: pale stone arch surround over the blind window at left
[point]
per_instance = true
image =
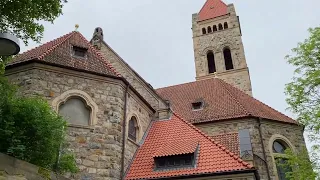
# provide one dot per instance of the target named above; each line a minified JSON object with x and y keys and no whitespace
{"x":64,"y":97}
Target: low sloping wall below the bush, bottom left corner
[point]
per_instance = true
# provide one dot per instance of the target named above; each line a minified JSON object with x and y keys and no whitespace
{"x":15,"y":169}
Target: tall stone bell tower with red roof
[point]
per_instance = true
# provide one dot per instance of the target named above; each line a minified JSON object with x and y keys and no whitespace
{"x":218,"y":47}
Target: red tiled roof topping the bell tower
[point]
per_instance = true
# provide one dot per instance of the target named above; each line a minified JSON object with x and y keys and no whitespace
{"x":212,"y":9}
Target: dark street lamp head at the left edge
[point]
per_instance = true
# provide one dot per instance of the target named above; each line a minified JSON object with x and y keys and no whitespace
{"x":9,"y":44}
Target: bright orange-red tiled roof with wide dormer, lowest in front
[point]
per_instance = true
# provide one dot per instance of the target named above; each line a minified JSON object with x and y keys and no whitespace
{"x":211,"y":158}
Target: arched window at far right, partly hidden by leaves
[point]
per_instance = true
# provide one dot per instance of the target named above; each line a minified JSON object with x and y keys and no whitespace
{"x":279,"y":148}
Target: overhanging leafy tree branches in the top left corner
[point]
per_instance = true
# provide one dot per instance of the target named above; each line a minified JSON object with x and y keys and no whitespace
{"x":21,"y":17}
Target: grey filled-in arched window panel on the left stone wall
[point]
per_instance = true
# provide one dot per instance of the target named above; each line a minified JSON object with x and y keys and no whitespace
{"x":75,"y":111}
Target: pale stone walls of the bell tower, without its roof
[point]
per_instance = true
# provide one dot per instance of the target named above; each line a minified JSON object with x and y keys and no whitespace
{"x":216,"y":42}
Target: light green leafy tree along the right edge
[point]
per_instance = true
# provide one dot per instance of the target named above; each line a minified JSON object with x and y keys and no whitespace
{"x":303,"y":97}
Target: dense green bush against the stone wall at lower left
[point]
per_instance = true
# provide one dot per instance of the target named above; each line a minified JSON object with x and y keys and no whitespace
{"x":30,"y":130}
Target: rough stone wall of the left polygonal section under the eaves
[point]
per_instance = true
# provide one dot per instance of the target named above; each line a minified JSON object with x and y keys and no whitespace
{"x":98,"y":147}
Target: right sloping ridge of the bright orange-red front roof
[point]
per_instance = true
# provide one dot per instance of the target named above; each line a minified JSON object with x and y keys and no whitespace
{"x":223,"y":148}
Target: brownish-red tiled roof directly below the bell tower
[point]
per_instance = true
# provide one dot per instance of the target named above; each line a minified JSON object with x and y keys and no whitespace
{"x":221,"y":101}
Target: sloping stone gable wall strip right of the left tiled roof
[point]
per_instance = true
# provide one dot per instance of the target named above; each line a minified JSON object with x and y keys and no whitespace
{"x":132,"y":77}
